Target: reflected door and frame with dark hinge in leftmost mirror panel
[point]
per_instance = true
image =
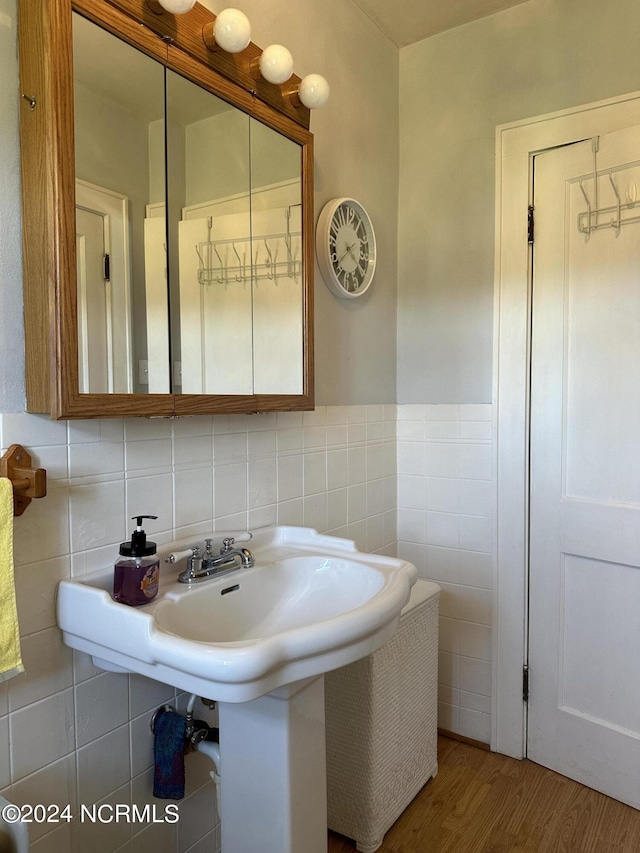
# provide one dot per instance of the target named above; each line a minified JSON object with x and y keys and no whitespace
{"x":103,"y":262}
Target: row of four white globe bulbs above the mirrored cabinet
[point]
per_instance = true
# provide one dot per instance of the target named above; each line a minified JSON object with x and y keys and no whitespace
{"x":231,"y":31}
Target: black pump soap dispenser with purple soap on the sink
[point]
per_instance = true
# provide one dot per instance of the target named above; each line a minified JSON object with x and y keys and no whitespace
{"x":136,"y":573}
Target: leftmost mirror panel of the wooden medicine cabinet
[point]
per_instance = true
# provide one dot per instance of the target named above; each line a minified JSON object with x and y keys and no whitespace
{"x":119,"y":106}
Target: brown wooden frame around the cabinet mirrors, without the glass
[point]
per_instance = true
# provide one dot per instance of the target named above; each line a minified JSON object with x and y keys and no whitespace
{"x":48,"y":193}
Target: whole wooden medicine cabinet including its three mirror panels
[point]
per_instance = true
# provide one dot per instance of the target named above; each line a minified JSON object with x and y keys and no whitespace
{"x":167,"y":218}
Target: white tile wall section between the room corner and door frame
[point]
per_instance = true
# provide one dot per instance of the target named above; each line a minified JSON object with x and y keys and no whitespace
{"x":445,"y":529}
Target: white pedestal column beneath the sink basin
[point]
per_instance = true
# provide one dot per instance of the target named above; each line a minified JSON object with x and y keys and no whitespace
{"x":273,"y":771}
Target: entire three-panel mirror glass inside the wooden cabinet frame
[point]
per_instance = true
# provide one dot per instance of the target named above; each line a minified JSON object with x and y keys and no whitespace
{"x":206,"y":300}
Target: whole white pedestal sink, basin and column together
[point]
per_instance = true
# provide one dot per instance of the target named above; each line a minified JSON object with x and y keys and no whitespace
{"x":258,"y":641}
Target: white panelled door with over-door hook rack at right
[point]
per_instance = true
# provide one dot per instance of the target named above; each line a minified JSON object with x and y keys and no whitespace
{"x":584,"y":624}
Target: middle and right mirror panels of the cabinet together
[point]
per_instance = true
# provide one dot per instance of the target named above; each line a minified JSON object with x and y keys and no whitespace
{"x":236,"y":200}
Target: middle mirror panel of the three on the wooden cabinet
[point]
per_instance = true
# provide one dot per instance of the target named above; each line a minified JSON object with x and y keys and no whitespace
{"x":209,"y":197}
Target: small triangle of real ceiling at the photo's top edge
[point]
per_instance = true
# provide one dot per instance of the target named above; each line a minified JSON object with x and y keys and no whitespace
{"x":408,"y":21}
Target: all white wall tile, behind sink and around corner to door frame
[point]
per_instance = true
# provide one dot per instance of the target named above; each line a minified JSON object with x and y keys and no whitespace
{"x":416,"y":479}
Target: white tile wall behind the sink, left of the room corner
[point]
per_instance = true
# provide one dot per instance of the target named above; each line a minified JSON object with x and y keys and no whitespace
{"x":70,"y":733}
